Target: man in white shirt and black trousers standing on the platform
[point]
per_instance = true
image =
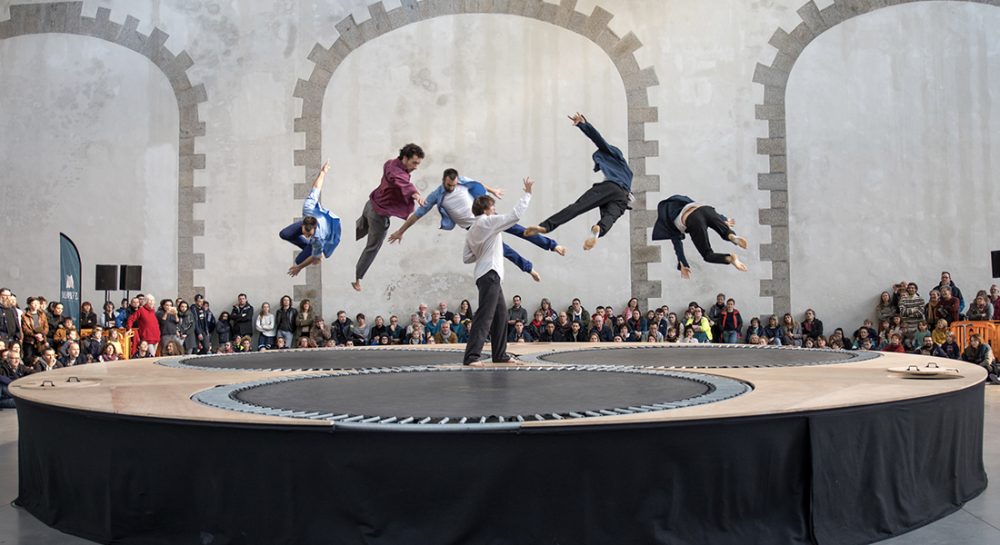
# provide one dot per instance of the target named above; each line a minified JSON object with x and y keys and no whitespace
{"x":484,"y":247}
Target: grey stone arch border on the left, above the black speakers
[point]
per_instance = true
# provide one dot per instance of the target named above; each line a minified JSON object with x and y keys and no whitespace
{"x":68,"y":18}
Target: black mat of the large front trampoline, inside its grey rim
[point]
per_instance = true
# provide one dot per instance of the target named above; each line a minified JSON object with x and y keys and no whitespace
{"x":473,"y":393}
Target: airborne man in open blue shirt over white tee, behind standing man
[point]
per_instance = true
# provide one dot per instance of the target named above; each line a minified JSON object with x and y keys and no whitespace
{"x":454,"y":199}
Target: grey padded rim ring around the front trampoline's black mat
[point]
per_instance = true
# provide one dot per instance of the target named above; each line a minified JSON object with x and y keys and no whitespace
{"x":226,"y":397}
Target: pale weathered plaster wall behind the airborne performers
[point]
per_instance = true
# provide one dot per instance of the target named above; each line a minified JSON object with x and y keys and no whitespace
{"x":487,"y":93}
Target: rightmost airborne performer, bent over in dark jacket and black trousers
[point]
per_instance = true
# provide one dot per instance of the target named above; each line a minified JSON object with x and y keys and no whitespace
{"x":679,"y":215}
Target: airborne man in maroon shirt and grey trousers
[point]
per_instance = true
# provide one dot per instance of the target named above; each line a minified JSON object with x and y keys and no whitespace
{"x":394,"y":196}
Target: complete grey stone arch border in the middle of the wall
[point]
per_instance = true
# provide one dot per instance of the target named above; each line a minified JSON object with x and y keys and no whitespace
{"x":594,"y":27}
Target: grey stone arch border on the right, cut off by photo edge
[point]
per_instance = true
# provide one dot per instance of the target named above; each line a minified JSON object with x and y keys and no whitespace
{"x":774,"y":79}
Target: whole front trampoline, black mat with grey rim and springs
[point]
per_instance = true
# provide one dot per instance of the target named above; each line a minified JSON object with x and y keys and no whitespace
{"x":456,"y":398}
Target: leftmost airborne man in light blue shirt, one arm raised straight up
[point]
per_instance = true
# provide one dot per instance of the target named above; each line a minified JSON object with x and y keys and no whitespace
{"x":317,"y":234}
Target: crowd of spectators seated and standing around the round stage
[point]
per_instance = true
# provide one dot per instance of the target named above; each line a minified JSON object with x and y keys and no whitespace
{"x":38,"y":337}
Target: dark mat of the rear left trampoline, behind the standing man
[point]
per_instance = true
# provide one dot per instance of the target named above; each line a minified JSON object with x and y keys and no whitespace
{"x":326,"y":359}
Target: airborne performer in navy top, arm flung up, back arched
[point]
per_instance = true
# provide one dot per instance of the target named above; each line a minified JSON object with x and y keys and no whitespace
{"x":612,"y":196}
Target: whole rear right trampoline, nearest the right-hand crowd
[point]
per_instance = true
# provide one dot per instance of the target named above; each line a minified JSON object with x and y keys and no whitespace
{"x":694,"y":356}
